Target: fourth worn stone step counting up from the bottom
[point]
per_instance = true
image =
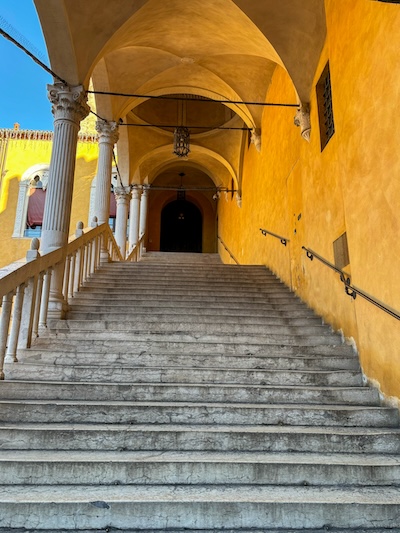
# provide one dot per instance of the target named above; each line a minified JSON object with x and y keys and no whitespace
{"x":128,"y":412}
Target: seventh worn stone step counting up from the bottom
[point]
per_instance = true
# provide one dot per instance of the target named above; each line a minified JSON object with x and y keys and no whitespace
{"x":53,"y":357}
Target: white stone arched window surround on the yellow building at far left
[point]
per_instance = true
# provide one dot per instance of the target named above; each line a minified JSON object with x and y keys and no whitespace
{"x":28,"y":181}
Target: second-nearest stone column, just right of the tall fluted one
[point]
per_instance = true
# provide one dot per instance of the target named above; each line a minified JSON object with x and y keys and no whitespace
{"x":108,"y":136}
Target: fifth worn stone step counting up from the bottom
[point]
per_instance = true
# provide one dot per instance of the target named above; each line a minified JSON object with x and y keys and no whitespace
{"x":61,"y":390}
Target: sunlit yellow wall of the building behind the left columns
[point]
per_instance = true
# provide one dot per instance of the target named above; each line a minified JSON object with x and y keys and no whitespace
{"x":23,"y":154}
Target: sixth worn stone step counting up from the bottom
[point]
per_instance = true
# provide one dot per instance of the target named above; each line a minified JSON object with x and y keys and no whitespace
{"x":131,"y":374}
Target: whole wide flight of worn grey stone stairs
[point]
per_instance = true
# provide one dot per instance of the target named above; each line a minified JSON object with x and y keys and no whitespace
{"x":182,"y":394}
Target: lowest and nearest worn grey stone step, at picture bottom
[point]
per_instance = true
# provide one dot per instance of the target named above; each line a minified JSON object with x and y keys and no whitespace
{"x":153,"y":507}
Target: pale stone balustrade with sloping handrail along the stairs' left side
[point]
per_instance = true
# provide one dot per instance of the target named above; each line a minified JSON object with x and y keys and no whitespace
{"x":25,"y":292}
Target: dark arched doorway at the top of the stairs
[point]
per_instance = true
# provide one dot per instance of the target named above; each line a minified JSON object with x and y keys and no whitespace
{"x":181,"y":227}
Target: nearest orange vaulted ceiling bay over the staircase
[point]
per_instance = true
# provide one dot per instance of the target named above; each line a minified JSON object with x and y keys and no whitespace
{"x":218,"y":49}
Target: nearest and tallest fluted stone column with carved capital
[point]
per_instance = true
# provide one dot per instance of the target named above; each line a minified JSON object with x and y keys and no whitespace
{"x":69,"y":108}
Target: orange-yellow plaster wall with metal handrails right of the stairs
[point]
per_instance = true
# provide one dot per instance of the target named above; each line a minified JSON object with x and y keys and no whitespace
{"x":294,"y":190}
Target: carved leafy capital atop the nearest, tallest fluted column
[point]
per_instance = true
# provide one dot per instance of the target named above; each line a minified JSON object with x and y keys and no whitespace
{"x":69,"y":103}
